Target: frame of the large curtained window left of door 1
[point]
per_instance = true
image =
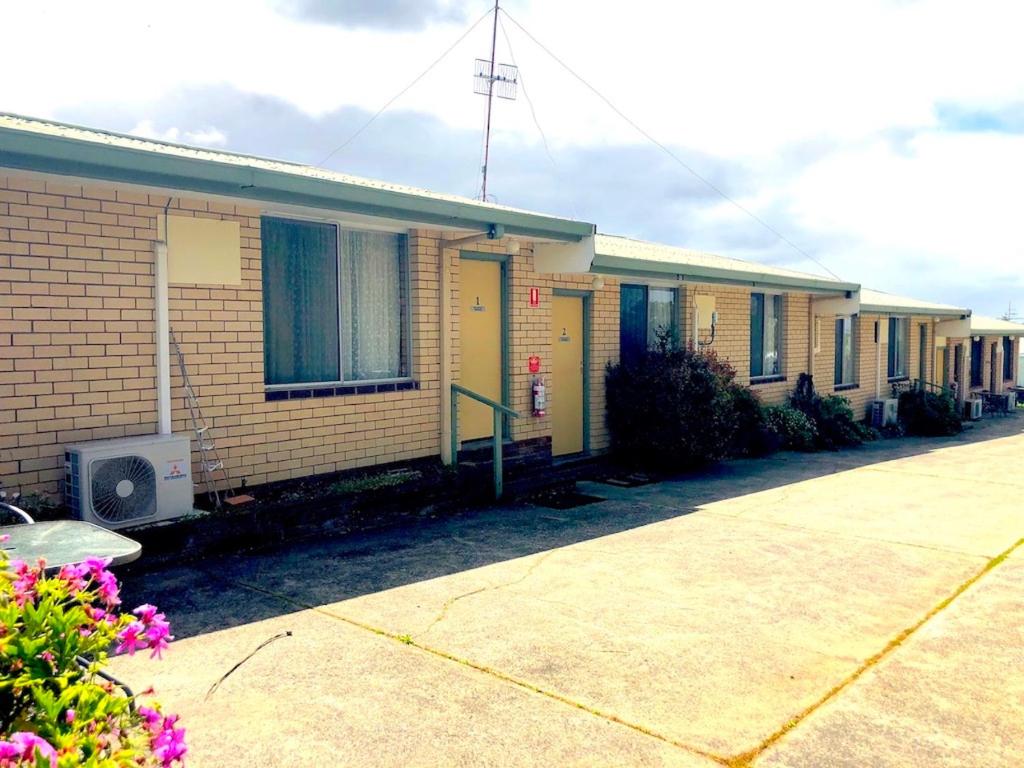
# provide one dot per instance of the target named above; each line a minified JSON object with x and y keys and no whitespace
{"x":406,"y":288}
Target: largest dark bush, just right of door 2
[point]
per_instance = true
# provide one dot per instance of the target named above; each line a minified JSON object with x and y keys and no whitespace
{"x":671,"y":410}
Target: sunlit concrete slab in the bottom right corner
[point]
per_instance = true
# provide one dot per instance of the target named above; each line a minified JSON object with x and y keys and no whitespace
{"x":952,"y":696}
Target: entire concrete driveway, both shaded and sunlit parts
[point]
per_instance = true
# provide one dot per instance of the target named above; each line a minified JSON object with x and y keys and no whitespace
{"x":861,"y":609}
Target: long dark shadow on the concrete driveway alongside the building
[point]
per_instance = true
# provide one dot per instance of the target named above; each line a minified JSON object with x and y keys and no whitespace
{"x":230,"y":591}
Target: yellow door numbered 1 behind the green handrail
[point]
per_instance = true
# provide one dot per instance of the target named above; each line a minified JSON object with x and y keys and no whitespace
{"x":481,"y":331}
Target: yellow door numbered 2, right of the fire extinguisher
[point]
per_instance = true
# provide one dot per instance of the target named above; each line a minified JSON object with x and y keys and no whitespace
{"x":567,"y":385}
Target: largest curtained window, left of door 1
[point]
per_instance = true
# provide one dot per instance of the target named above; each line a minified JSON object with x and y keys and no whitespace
{"x":335,"y":304}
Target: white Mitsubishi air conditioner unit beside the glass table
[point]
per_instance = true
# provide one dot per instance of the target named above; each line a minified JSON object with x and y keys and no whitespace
{"x":130,"y":482}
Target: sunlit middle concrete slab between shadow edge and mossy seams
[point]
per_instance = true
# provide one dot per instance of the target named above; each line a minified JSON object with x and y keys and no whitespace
{"x":672,"y":624}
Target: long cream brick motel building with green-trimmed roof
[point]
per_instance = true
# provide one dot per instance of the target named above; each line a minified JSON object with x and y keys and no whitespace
{"x":325,"y":319}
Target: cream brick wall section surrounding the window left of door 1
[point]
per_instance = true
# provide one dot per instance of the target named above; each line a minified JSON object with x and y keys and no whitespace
{"x":77,"y":353}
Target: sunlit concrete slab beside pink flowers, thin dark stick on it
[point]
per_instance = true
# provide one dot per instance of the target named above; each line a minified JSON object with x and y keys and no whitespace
{"x":335,"y":695}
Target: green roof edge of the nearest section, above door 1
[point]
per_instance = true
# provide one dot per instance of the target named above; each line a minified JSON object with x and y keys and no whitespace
{"x":42,"y":153}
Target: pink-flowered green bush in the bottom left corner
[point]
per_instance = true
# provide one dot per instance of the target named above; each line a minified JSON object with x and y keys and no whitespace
{"x":56,"y":709}
